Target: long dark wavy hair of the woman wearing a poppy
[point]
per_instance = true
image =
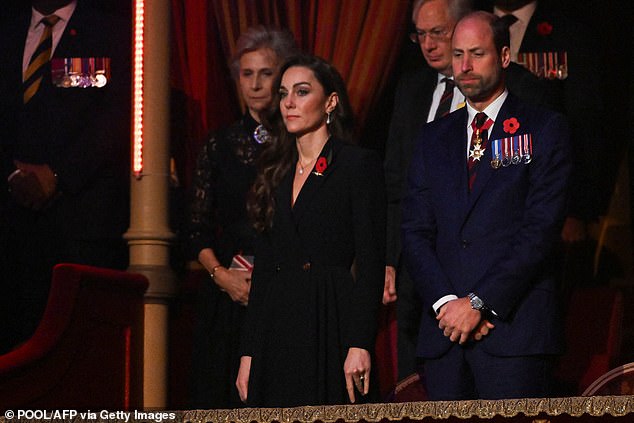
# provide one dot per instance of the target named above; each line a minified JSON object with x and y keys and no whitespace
{"x":280,"y":154}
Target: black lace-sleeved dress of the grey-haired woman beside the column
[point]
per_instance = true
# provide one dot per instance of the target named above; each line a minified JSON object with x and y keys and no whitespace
{"x":224,"y":173}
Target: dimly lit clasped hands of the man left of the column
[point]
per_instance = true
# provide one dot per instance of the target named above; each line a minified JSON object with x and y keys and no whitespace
{"x":31,"y":185}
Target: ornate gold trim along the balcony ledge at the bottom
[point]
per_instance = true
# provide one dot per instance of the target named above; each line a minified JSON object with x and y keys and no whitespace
{"x":615,"y":406}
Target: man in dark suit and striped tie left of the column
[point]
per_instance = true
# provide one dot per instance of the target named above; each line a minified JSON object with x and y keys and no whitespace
{"x":65,"y":152}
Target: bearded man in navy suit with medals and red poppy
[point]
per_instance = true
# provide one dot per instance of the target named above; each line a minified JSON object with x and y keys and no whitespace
{"x":482,"y":213}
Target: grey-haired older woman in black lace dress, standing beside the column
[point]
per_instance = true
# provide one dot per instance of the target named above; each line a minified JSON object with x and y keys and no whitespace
{"x":218,"y":224}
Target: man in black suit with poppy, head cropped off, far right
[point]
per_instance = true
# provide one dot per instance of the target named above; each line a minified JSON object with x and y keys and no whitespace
{"x":538,"y":27}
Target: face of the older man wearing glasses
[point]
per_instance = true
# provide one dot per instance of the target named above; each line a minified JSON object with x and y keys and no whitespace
{"x":434,"y":21}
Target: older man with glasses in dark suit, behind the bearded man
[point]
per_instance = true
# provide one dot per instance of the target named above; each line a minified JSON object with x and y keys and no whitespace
{"x":416,"y":102}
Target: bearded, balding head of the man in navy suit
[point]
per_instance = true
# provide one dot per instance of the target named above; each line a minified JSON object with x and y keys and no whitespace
{"x":477,"y":66}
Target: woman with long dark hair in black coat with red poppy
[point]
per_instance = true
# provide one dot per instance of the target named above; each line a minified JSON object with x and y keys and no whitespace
{"x":319,"y":206}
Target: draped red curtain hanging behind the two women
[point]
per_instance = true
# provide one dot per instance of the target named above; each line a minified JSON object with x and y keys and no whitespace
{"x":360,"y":37}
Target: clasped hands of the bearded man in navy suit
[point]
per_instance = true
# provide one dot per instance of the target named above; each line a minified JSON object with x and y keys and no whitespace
{"x":460,"y":323}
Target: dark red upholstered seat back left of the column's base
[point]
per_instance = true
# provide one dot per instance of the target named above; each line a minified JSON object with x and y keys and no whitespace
{"x":87,"y":352}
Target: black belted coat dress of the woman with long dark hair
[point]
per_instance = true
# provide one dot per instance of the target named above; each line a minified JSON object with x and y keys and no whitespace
{"x":306,"y":308}
